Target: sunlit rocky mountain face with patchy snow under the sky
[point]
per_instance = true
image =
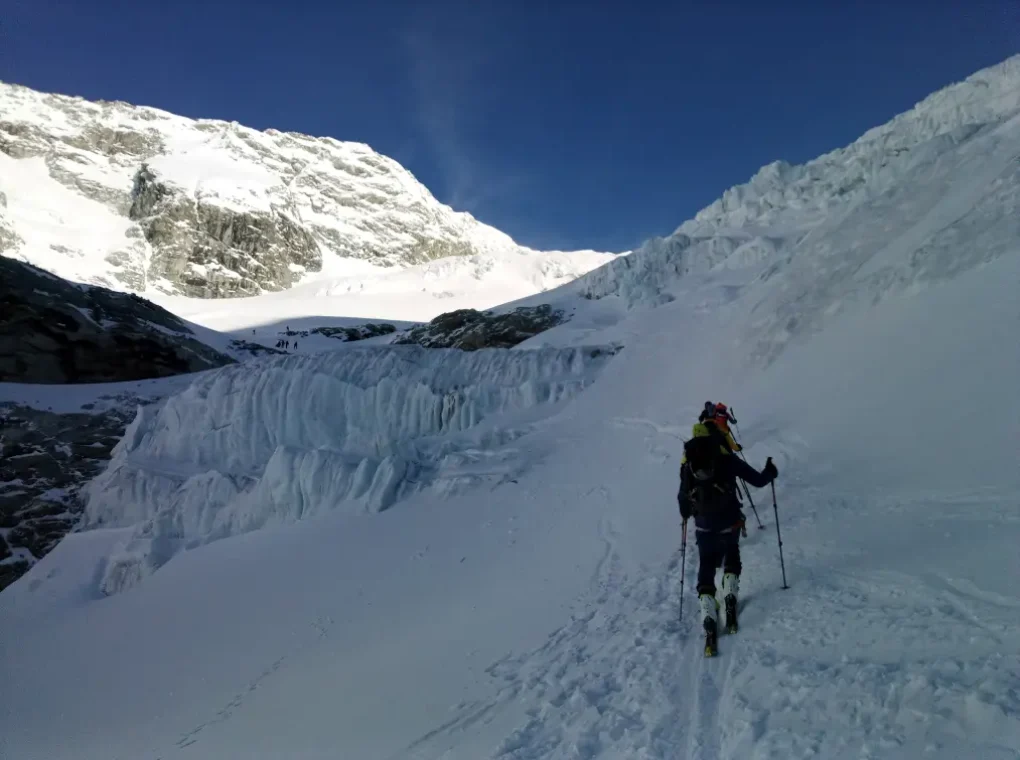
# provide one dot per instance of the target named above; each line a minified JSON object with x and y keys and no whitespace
{"x":135,"y":198}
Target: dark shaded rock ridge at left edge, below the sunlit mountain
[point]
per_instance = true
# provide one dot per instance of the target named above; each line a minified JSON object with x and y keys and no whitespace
{"x":53,"y":331}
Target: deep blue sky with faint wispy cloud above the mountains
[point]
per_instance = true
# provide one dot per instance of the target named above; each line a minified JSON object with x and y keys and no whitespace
{"x":572,"y":125}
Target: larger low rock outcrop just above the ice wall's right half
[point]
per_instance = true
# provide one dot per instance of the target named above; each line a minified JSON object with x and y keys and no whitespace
{"x":470,"y":330}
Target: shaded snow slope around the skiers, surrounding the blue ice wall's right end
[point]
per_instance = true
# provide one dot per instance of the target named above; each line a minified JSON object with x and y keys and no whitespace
{"x":538,"y":619}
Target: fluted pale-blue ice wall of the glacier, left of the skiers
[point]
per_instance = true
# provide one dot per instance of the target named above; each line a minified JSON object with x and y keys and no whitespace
{"x":355,"y":431}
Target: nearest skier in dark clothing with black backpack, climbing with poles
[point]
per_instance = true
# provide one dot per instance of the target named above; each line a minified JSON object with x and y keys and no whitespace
{"x":708,"y":493}
